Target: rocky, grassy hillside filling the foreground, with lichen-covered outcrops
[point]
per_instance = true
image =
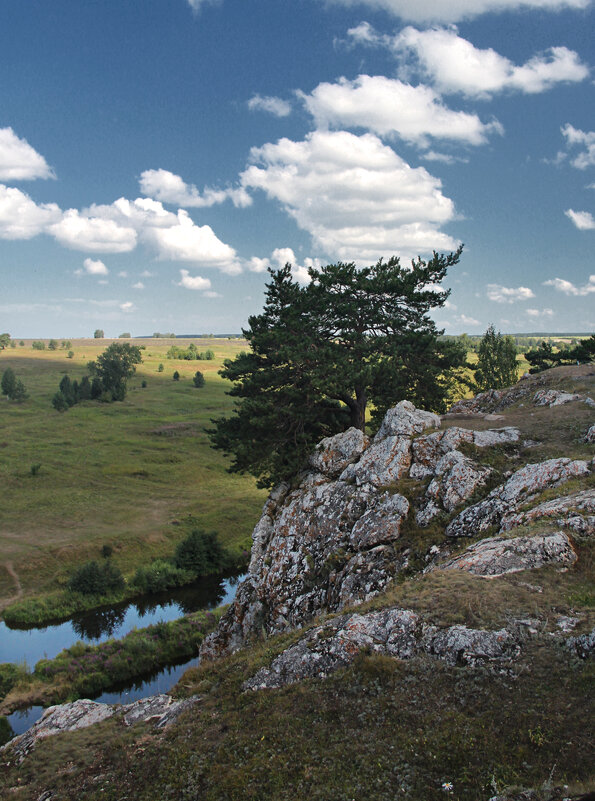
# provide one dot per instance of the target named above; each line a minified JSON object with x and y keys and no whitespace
{"x":418,"y":622}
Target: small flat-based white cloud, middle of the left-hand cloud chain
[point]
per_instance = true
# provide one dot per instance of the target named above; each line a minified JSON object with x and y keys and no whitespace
{"x":79,"y":232}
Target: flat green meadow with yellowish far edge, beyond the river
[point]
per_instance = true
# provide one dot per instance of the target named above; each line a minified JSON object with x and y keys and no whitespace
{"x":122,"y":474}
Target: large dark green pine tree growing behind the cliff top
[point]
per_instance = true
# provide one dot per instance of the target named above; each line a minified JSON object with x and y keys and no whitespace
{"x":324,"y":352}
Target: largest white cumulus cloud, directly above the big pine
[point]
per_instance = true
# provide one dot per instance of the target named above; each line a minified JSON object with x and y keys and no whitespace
{"x":354,"y":195}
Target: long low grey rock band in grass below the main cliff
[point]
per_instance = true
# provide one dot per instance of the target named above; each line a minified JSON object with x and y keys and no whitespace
{"x":394,"y":632}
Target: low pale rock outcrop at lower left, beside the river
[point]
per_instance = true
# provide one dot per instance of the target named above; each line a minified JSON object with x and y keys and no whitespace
{"x":162,"y":709}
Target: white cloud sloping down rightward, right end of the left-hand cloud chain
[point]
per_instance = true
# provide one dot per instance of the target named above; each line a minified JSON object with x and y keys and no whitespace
{"x":187,"y":241}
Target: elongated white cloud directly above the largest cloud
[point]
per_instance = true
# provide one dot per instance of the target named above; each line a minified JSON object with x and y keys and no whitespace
{"x":390,"y":107}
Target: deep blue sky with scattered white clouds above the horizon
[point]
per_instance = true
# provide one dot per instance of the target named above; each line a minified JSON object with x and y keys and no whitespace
{"x":157,"y":155}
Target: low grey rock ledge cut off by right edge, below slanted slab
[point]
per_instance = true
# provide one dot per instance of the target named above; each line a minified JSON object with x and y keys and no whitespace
{"x":575,"y":511}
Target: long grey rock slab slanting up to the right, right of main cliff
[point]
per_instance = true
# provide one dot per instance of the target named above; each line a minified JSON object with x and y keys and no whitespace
{"x":523,"y":485}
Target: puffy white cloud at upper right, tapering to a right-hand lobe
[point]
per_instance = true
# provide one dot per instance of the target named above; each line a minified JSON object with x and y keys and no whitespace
{"x":453,"y":64}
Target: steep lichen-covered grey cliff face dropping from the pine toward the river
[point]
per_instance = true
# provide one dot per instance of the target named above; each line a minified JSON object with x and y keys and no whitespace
{"x":330,"y":541}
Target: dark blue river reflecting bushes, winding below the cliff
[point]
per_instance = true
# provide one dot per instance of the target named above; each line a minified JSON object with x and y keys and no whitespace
{"x":30,"y":645}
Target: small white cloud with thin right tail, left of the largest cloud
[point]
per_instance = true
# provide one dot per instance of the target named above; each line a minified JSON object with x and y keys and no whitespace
{"x":170,"y":188}
